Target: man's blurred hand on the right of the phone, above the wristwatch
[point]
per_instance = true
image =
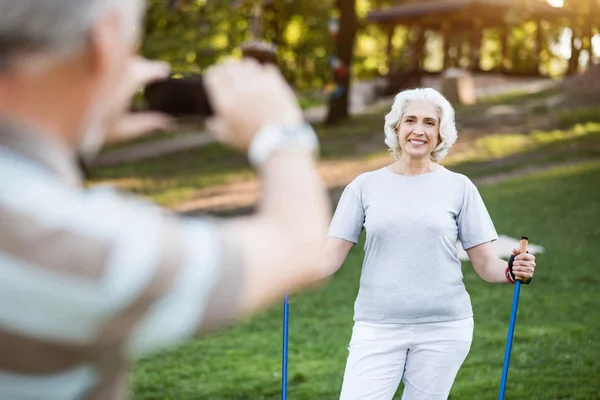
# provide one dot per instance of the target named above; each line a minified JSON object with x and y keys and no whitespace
{"x":245,"y":96}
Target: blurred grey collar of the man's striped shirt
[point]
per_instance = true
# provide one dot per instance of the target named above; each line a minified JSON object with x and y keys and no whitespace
{"x":43,"y":150}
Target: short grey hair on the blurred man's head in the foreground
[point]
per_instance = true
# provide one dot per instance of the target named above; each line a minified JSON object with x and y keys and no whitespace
{"x":56,"y":27}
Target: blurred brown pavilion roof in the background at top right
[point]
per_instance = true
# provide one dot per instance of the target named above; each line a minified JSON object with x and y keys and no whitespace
{"x":415,"y":11}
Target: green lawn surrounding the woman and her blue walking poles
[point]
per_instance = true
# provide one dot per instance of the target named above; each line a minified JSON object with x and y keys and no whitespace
{"x":556,"y":352}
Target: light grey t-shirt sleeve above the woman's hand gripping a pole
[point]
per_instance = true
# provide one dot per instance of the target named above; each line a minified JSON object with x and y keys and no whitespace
{"x":475,"y":225}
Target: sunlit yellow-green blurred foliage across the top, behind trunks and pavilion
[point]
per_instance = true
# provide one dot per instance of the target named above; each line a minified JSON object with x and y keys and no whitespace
{"x":195,"y":34}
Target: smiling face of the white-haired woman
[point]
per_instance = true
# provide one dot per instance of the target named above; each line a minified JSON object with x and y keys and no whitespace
{"x":419,"y":130}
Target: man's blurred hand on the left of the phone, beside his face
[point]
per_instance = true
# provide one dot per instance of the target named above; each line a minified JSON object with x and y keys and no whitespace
{"x":130,"y":125}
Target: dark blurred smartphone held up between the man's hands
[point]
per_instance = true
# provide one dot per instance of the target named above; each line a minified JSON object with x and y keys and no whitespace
{"x":181,"y":97}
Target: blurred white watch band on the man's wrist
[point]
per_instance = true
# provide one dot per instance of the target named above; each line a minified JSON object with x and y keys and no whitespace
{"x":272,"y":138}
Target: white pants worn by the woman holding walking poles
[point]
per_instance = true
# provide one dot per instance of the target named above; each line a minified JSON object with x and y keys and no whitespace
{"x":426,"y":357}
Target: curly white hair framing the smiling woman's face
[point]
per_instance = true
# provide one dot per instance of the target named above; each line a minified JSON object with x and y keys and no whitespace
{"x":447,"y":126}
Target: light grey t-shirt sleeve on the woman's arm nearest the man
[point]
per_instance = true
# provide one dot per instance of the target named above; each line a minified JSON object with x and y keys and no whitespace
{"x":349,"y":216}
